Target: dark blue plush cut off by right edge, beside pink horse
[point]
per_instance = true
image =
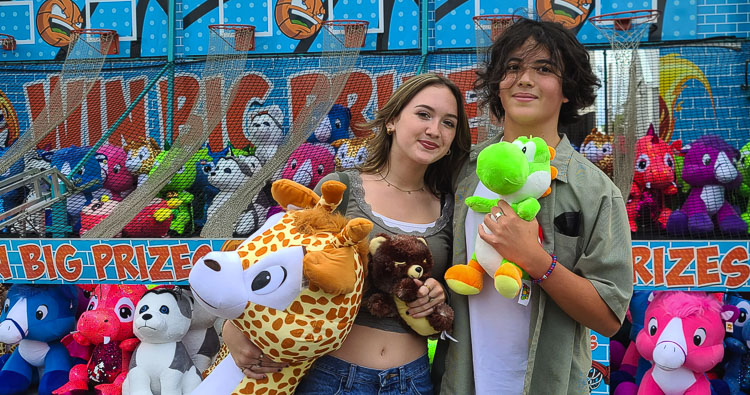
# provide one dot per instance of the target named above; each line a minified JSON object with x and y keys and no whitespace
{"x":736,"y":366}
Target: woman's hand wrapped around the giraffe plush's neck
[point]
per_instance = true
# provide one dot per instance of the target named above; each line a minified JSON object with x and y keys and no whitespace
{"x":246,"y":355}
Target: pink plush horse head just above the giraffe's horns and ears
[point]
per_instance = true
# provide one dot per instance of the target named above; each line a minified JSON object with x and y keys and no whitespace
{"x":309,"y":163}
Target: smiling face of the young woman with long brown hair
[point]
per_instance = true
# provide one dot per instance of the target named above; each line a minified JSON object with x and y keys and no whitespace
{"x":424,"y":129}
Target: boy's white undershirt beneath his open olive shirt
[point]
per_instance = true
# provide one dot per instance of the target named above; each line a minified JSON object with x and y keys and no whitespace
{"x":499,"y":327}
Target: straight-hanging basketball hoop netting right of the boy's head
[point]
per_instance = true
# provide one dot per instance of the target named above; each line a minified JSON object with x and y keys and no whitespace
{"x":624,"y":30}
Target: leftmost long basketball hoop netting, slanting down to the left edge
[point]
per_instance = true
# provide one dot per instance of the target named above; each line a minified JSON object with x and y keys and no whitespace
{"x":83,"y":63}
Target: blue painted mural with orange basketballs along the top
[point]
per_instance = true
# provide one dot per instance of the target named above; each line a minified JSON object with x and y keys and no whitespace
{"x":42,"y":27}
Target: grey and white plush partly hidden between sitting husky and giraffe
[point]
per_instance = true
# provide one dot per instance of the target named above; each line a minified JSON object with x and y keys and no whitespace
{"x":201,"y":340}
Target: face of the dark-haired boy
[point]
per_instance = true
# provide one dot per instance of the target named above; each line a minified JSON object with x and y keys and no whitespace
{"x":531,"y":92}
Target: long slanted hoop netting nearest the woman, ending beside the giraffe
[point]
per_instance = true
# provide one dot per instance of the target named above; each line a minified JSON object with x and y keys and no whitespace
{"x":341,"y":42}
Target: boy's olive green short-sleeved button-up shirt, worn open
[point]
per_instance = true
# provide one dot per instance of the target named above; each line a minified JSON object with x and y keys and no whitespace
{"x":559,"y":347}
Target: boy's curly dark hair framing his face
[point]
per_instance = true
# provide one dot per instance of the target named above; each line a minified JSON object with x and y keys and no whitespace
{"x":570,"y":58}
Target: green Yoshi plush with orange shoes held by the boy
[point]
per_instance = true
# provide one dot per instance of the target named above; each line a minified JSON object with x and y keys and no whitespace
{"x":519,"y":173}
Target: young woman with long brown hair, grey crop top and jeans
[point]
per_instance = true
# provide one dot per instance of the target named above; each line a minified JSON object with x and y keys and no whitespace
{"x":405,"y":187}
